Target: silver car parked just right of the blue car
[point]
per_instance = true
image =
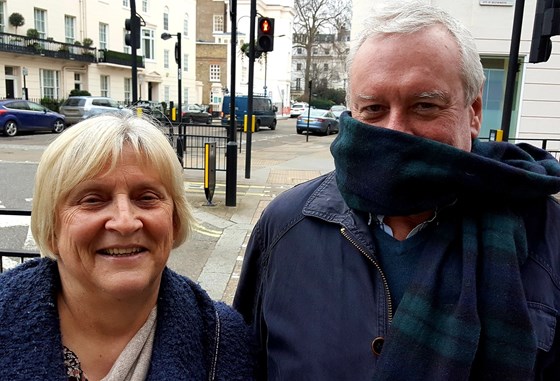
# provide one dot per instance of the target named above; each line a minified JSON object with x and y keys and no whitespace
{"x":78,"y":108}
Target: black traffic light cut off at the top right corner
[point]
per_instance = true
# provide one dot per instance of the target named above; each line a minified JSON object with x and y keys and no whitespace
{"x":546,"y":25}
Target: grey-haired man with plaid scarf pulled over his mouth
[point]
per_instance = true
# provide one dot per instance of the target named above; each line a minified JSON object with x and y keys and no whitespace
{"x":426,"y":254}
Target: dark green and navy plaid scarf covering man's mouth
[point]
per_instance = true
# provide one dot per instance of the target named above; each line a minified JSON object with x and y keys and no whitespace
{"x":481,"y":328}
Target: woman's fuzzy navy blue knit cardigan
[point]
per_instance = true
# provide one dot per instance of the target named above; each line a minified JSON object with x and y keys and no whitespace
{"x":196,"y":338}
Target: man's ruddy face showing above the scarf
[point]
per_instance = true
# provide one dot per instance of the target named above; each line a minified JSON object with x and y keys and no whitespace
{"x":412,"y":83}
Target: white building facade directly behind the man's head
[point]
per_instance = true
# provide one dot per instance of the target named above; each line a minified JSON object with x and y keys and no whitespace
{"x":536,"y":106}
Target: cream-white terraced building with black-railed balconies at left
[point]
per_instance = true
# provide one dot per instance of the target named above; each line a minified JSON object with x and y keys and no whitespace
{"x":54,"y":72}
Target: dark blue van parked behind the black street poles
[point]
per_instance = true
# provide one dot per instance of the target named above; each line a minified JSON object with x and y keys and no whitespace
{"x":263,"y":110}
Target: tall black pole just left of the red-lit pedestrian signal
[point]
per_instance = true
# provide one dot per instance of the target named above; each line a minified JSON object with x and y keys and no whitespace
{"x":231,"y":150}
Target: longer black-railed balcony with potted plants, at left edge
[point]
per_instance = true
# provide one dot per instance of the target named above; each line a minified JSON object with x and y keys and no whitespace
{"x":17,"y":44}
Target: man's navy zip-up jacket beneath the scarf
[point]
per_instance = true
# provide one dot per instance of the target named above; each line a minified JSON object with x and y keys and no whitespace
{"x":311,"y":287}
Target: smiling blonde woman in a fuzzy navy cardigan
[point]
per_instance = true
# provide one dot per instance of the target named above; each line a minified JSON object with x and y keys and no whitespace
{"x":108,"y":207}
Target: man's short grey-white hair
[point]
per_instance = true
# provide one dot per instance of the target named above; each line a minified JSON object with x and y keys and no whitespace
{"x":406,"y":17}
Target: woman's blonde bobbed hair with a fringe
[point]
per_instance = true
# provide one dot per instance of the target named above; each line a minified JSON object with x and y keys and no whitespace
{"x":84,"y":150}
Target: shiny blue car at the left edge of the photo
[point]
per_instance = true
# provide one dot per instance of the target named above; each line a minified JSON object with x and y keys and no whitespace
{"x":18,"y":115}
